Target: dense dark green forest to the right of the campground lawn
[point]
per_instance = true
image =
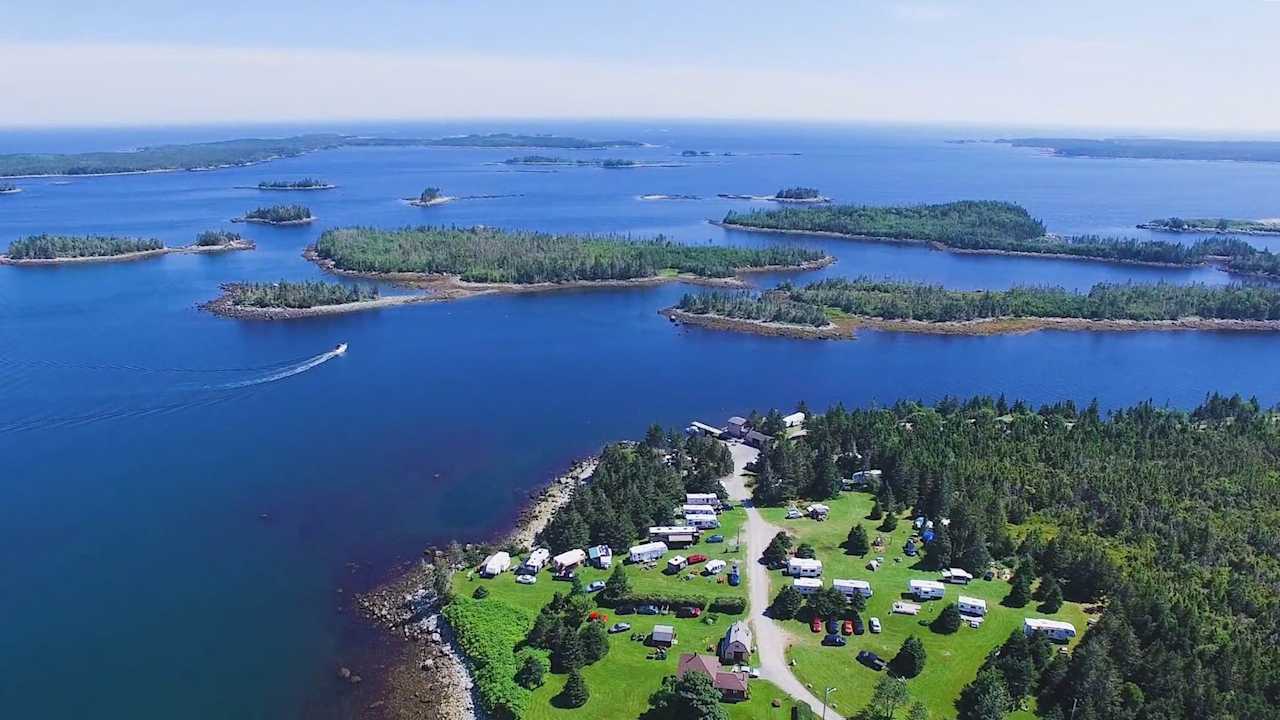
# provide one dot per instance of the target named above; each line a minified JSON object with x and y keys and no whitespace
{"x":1167,"y":520}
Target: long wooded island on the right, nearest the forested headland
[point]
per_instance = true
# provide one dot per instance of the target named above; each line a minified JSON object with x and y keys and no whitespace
{"x":835,"y":308}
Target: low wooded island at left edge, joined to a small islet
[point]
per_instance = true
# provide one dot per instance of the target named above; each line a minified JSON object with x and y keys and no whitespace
{"x":54,"y":249}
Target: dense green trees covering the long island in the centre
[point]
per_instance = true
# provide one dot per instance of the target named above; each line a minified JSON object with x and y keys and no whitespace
{"x":492,"y":256}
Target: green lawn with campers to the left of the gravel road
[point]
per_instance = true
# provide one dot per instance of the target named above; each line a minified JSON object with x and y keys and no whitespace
{"x":621,"y":685}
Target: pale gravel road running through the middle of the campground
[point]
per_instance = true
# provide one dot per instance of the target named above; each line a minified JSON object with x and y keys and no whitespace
{"x":771,"y":640}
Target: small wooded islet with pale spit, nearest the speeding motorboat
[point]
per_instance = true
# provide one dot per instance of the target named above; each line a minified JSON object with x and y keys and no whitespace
{"x":291,"y":300}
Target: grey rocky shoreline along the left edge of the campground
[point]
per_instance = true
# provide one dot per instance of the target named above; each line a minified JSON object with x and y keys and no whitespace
{"x":429,"y":680}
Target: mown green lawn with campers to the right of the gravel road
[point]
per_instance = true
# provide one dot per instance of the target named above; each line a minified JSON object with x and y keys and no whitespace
{"x":953,"y":660}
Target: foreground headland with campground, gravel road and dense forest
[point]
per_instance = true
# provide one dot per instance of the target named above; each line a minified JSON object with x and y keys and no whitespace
{"x":1064,"y":548}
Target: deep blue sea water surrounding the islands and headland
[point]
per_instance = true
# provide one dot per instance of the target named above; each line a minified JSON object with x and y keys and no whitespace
{"x":141,"y":440}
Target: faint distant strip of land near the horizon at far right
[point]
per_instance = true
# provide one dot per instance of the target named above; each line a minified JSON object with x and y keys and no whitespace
{"x":1155,"y":149}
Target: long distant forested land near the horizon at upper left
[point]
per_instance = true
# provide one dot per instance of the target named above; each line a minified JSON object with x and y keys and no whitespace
{"x":252,"y":152}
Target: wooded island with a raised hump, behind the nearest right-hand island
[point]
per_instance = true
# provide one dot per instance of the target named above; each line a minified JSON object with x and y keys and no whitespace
{"x":999,"y":229}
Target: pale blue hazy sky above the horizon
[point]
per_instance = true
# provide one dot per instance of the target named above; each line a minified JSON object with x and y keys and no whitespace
{"x":1159,"y":65}
